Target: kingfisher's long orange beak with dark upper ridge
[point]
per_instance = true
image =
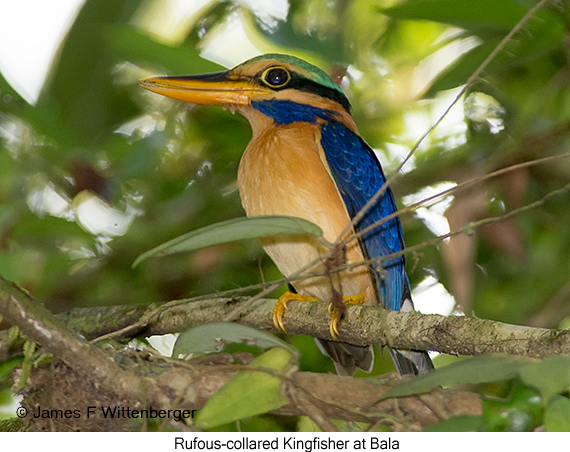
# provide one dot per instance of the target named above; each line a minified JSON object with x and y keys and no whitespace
{"x":217,"y":88}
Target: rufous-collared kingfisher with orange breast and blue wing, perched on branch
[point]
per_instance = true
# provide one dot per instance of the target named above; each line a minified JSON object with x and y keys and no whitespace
{"x":306,"y":159}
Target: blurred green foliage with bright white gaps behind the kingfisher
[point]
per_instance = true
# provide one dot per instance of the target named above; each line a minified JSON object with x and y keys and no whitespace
{"x":97,"y":171}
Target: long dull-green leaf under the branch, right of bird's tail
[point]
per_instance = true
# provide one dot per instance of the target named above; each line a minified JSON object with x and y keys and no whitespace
{"x":480,"y":369}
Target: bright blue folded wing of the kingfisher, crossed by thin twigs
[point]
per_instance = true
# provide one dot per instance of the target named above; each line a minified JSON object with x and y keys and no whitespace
{"x":358,"y":175}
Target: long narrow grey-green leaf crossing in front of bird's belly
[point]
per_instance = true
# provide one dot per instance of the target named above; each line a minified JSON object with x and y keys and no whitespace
{"x":232,"y":230}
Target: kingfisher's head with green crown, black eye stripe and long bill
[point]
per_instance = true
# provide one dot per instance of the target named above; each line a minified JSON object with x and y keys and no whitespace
{"x":283,"y":87}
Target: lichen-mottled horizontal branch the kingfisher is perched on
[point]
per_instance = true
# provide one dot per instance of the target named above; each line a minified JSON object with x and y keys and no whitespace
{"x":361,"y":326}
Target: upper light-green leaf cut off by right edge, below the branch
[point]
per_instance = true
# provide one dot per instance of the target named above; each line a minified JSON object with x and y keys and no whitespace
{"x":550,"y":376}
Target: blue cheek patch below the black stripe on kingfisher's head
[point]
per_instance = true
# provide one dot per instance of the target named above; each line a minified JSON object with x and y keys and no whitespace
{"x":285,"y":112}
